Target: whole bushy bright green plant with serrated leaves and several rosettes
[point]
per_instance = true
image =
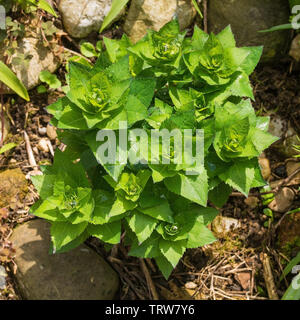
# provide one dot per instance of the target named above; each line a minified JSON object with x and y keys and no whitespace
{"x":165,"y":81}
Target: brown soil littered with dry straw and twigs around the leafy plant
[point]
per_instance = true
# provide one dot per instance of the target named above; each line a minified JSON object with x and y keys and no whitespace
{"x":229,"y":269}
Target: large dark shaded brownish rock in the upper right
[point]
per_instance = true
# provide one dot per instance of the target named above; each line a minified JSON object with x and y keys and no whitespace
{"x":247,"y":17}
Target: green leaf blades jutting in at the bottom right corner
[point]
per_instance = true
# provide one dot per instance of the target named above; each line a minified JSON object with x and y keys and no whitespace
{"x":293,"y":291}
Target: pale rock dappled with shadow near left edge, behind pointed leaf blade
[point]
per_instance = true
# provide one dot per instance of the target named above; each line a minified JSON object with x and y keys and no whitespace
{"x":38,"y":58}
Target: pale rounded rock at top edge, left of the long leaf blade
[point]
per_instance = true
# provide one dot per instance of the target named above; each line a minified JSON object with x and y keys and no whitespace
{"x":81,"y":17}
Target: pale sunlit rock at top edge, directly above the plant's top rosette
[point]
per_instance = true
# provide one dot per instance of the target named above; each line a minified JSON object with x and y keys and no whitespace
{"x":153,"y":14}
